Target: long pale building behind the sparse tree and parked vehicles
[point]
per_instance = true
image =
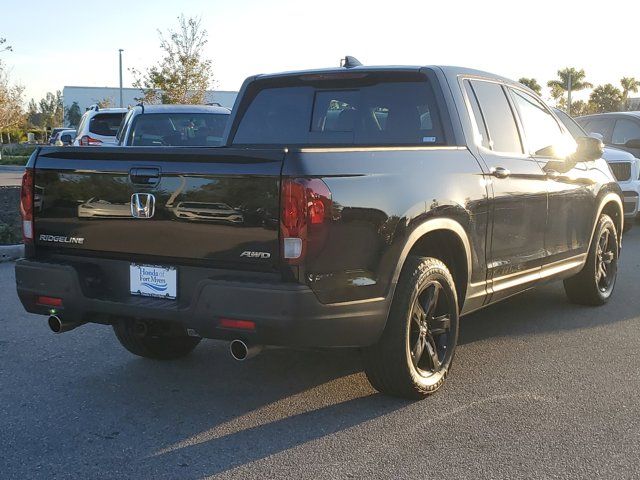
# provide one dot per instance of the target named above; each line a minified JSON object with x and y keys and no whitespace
{"x":87,"y":96}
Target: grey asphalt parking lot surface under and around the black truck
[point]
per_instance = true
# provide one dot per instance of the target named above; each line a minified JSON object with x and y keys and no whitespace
{"x":540,"y":389}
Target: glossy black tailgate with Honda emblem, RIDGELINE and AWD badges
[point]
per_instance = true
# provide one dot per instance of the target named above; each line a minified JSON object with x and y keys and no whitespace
{"x":216,"y":205}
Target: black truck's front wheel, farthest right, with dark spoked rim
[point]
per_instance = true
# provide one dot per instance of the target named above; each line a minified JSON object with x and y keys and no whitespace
{"x":596,"y":281}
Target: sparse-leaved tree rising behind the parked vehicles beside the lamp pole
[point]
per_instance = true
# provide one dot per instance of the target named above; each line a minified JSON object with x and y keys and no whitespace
{"x":183,"y":74}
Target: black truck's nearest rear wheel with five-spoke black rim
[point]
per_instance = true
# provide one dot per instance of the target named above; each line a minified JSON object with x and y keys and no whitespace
{"x":414,"y":354}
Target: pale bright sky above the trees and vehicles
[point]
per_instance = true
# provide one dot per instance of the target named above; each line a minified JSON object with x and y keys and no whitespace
{"x":71,"y":43}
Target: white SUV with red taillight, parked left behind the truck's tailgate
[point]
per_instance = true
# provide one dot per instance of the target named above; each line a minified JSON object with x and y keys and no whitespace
{"x":98,"y":126}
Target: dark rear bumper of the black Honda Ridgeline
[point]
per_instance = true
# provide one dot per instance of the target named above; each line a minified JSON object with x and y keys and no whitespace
{"x":284,"y":313}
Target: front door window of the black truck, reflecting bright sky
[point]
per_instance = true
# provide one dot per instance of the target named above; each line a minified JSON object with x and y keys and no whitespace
{"x":540,"y":128}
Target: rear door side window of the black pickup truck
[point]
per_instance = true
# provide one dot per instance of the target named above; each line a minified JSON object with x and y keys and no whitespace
{"x":498,"y":117}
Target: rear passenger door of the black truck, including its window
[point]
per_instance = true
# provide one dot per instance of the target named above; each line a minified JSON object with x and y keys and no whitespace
{"x":520,"y":195}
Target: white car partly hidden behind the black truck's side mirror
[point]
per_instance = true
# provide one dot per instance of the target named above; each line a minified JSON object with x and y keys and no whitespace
{"x":624,"y":166}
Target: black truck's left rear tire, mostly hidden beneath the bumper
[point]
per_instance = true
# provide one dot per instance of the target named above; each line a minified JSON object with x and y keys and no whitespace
{"x":153,"y":345}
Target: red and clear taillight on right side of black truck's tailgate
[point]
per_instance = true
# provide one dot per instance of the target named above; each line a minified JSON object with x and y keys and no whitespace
{"x":305,"y":214}
